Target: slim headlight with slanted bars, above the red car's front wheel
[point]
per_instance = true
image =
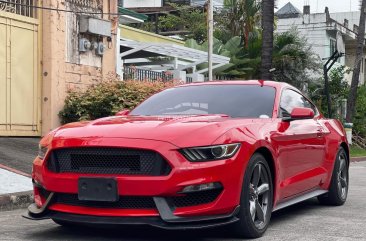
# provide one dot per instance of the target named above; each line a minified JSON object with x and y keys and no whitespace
{"x":210,"y":153}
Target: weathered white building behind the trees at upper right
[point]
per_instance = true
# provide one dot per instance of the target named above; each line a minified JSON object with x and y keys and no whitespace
{"x":321,"y":29}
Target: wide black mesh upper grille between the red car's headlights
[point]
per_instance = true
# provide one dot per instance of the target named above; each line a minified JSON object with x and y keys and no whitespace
{"x":108,"y":161}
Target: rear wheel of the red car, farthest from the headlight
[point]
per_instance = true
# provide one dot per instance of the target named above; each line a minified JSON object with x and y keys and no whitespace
{"x":338,"y":189}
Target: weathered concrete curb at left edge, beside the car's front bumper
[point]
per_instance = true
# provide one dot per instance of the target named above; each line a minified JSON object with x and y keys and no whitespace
{"x":17,"y":200}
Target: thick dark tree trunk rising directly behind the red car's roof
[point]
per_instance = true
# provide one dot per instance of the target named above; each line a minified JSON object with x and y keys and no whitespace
{"x":267,"y":38}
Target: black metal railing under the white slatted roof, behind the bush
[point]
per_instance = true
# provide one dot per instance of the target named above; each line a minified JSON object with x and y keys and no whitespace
{"x":133,"y":73}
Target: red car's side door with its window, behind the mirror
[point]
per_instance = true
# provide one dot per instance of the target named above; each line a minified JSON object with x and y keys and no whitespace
{"x":301,"y":147}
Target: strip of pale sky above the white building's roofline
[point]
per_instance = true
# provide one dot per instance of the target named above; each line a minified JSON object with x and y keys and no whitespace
{"x":317,"y":6}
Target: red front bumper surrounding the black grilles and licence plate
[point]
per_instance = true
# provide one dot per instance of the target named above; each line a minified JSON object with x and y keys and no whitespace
{"x":160,"y":188}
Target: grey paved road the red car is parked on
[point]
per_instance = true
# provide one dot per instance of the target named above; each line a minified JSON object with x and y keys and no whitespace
{"x":305,"y":221}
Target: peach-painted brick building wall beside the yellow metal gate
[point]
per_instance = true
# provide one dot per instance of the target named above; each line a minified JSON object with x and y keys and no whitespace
{"x":63,"y":67}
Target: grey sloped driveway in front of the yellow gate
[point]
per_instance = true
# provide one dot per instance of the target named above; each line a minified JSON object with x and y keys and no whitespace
{"x":18,"y":153}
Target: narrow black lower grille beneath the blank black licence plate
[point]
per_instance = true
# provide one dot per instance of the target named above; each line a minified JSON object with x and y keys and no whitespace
{"x":124,"y":202}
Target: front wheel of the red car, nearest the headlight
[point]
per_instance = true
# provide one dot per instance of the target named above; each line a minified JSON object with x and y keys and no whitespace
{"x":249,"y":226}
